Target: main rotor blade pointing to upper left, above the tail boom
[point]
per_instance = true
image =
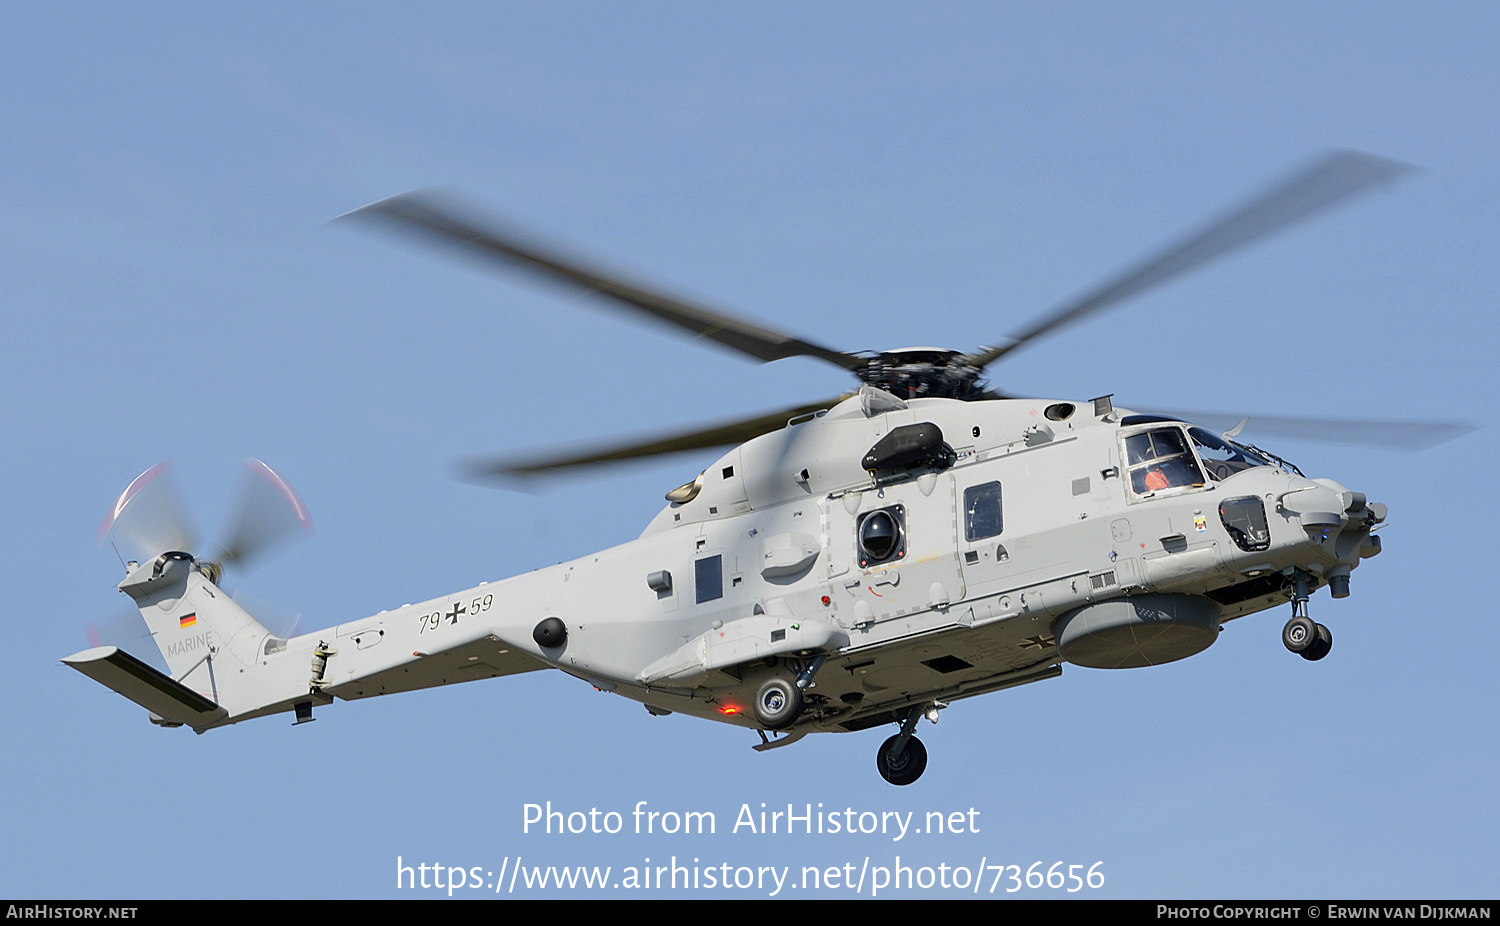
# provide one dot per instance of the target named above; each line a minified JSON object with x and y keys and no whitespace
{"x":422,"y":212}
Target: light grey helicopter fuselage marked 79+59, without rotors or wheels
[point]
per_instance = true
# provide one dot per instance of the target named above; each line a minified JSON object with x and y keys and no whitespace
{"x":1037,"y":534}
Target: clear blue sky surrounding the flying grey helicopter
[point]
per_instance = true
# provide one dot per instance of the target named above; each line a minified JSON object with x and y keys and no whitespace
{"x":869,"y":176}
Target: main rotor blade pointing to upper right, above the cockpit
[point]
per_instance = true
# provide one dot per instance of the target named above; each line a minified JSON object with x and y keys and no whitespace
{"x":1333,"y":179}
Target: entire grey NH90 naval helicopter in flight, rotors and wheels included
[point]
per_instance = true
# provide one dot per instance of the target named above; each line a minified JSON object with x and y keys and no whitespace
{"x":853,"y":564}
